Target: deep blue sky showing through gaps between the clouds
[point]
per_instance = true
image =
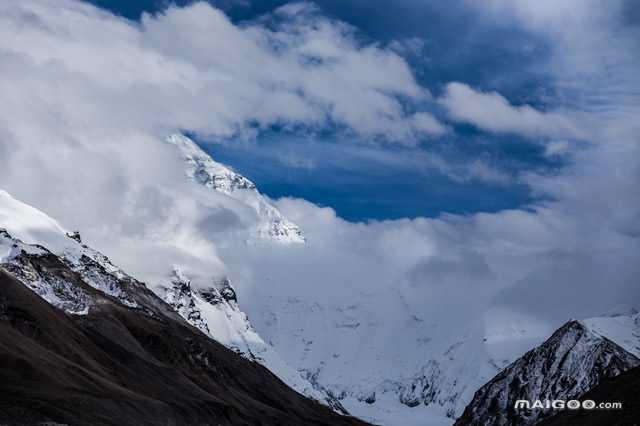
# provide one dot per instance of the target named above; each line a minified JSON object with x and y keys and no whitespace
{"x":364,"y":180}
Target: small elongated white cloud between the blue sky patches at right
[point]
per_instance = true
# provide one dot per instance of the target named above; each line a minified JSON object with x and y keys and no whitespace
{"x":493,"y":112}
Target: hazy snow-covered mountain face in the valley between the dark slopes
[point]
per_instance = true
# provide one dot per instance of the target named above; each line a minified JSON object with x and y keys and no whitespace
{"x":399,"y":370}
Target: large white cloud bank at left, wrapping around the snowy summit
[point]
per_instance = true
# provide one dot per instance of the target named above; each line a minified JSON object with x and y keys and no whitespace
{"x":89,"y":96}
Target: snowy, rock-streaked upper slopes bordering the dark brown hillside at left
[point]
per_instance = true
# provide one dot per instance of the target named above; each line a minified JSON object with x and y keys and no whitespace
{"x":213,"y":310}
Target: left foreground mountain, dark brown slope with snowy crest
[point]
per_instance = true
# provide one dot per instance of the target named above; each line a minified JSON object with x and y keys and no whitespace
{"x":85,"y":344}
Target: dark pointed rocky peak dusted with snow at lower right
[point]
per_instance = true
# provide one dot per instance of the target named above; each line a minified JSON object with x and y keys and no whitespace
{"x":575,"y":359}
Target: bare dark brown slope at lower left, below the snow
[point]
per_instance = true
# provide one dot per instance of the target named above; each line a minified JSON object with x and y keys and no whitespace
{"x":121,"y":365}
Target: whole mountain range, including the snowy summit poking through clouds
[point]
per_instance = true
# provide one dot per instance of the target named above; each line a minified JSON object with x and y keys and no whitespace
{"x":123,"y":345}
